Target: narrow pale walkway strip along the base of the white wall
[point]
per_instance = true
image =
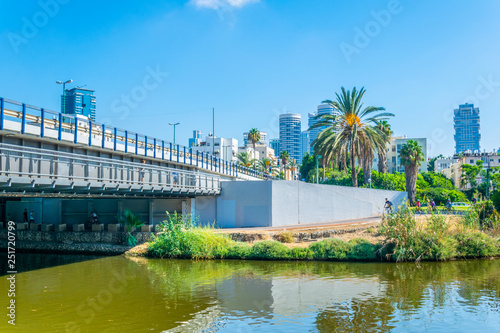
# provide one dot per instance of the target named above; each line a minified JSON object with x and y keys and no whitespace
{"x":353,"y":222}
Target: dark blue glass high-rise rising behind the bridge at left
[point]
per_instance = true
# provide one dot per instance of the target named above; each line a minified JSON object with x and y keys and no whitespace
{"x":80,"y":101}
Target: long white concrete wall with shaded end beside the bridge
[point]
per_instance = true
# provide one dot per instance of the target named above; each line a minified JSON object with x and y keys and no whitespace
{"x":280,"y":203}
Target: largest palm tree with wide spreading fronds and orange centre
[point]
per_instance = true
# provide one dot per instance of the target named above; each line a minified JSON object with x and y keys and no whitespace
{"x":352,"y":132}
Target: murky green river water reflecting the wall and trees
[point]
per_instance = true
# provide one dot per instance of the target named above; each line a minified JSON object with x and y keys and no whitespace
{"x":119,"y":294}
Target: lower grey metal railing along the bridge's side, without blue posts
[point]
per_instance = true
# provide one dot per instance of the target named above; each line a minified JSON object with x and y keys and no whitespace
{"x":41,"y":163}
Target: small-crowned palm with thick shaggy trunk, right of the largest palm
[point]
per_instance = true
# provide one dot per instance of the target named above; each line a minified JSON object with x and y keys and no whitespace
{"x":411,"y":157}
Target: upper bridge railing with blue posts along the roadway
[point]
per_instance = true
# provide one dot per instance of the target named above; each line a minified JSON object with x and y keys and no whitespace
{"x":27,"y":119}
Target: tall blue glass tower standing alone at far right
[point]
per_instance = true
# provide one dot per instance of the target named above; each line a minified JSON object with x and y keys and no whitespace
{"x":466,"y":124}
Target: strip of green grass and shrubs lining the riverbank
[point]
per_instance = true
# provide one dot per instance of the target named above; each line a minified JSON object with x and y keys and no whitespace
{"x":438,"y":238}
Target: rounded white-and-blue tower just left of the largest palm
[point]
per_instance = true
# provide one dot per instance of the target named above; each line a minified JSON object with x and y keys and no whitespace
{"x":290,"y":135}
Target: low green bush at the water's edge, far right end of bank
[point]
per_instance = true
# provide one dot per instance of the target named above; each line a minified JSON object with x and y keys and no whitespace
{"x":476,"y":244}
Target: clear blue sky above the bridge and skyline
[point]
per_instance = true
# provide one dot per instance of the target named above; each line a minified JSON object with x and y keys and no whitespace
{"x":156,"y":62}
